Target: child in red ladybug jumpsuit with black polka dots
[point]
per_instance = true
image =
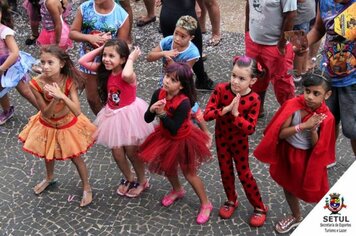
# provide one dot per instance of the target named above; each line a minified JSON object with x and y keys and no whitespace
{"x":235,"y":108}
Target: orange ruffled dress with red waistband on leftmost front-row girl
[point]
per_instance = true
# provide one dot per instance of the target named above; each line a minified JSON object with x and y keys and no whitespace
{"x":60,"y":138}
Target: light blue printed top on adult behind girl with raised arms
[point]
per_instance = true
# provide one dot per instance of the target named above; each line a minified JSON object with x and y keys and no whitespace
{"x":95,"y":23}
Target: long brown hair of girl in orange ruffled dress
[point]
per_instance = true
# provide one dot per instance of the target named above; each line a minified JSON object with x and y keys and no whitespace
{"x":68,"y":69}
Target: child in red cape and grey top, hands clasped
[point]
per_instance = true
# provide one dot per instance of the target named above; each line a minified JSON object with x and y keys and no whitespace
{"x":299,"y":143}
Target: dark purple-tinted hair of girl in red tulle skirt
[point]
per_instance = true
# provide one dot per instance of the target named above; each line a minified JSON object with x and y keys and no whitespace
{"x":184,"y":74}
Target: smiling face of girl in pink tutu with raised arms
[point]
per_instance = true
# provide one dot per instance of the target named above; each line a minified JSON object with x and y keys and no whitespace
{"x":112,"y":59}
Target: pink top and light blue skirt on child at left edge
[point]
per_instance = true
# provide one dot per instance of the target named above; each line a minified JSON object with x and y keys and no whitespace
{"x":13,"y":75}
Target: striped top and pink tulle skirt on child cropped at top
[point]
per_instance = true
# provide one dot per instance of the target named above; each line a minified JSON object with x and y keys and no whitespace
{"x":48,"y":35}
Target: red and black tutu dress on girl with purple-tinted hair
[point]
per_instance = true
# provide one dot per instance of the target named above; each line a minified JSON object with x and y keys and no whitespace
{"x":176,"y":141}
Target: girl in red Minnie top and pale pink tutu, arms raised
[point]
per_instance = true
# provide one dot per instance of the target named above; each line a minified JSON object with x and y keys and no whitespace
{"x":121,"y":124}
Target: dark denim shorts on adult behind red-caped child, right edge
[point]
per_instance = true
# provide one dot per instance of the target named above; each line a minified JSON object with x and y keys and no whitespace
{"x":342,"y":103}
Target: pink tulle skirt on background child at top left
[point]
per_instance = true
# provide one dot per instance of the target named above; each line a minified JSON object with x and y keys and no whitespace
{"x":49,"y":37}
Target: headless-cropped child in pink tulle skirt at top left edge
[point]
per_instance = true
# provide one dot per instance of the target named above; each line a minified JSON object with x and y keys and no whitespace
{"x":54,"y":29}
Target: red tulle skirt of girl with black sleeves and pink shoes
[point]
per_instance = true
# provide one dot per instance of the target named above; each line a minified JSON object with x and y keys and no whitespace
{"x":163,"y":153}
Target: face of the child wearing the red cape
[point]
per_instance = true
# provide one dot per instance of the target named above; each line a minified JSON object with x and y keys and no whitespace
{"x":315,"y":95}
